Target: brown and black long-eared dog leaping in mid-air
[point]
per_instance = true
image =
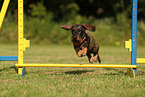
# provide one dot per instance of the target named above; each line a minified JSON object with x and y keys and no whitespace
{"x":83,"y":42}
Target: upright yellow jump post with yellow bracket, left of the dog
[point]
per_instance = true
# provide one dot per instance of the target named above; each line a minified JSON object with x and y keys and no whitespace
{"x":22,"y":42}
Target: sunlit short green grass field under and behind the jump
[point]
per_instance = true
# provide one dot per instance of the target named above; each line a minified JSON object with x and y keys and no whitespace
{"x":69,"y":82}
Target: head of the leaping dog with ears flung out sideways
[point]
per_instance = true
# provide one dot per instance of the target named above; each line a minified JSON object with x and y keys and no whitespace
{"x":78,"y":31}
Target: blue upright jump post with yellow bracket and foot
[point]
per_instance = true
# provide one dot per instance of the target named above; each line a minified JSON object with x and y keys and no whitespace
{"x":132,"y":43}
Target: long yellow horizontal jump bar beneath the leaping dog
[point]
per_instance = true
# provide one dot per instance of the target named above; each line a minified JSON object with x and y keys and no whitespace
{"x":78,"y":65}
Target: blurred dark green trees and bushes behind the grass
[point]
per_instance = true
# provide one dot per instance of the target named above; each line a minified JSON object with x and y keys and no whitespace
{"x":42,"y":19}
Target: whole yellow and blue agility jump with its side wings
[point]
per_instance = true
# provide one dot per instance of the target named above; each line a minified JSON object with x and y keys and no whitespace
{"x":23,"y":44}
